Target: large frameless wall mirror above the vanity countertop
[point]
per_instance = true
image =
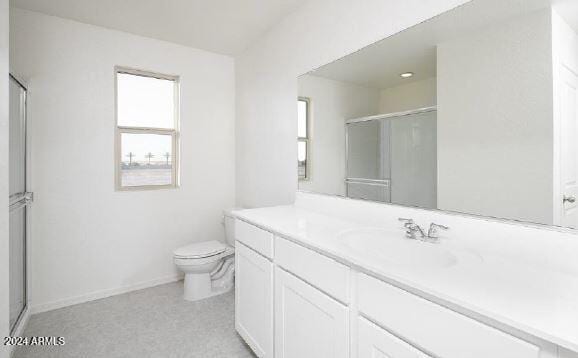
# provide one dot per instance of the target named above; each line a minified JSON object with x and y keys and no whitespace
{"x":474,"y":111}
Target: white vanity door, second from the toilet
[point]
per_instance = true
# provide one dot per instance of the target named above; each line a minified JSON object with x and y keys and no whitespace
{"x":308,"y":323}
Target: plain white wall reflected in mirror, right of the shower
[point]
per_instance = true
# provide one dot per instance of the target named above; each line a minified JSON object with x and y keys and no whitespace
{"x":495,"y":127}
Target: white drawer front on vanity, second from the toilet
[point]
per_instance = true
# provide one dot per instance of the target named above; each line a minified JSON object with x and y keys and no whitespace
{"x":326,"y":274}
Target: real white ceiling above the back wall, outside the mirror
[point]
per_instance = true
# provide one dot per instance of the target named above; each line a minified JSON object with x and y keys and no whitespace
{"x":222,"y":26}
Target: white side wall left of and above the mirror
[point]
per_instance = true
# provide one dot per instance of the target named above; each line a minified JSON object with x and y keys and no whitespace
{"x":315,"y":34}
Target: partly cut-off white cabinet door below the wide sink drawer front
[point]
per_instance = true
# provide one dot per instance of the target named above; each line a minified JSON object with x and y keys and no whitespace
{"x":375,"y":342}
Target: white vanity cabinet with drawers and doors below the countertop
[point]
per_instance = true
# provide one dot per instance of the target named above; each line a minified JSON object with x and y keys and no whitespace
{"x":295,"y":302}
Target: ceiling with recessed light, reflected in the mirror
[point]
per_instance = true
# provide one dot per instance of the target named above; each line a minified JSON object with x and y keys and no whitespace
{"x":414,"y":50}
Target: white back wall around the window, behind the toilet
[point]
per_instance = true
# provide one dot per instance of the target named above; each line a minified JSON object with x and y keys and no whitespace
{"x":88,"y":239}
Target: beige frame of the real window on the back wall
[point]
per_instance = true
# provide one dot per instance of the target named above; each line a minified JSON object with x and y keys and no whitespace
{"x":174,"y":132}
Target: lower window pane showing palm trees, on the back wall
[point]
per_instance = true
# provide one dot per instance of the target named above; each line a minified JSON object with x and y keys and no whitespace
{"x":147,"y":159}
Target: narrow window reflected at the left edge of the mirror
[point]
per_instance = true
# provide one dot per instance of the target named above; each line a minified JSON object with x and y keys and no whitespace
{"x":303,"y":136}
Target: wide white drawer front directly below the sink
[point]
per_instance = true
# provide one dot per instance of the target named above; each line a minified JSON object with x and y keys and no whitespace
{"x":436,"y":329}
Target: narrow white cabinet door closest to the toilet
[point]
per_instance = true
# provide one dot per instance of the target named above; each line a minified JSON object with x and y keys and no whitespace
{"x":254,"y":300}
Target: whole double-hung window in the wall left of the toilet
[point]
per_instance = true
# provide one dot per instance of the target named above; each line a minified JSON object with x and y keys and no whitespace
{"x":147,"y":116}
